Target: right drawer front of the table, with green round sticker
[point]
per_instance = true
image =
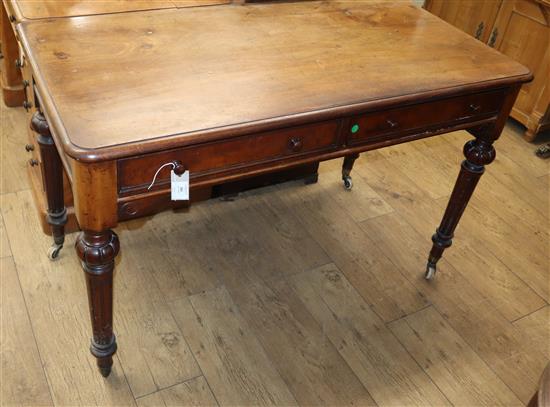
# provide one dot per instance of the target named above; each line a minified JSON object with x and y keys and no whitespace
{"x":395,"y":122}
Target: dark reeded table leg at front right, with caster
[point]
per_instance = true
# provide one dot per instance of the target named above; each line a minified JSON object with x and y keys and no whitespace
{"x":478,"y":153}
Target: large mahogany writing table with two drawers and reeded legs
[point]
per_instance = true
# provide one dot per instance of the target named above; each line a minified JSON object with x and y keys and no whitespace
{"x":230,"y":92}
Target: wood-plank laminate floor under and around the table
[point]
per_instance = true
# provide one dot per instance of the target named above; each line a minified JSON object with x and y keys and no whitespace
{"x":294,"y":295}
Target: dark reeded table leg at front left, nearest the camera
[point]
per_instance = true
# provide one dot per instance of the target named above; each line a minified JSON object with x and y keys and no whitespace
{"x":97,"y":251}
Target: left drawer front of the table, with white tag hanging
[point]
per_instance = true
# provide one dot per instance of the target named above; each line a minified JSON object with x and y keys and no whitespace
{"x":136,"y":173}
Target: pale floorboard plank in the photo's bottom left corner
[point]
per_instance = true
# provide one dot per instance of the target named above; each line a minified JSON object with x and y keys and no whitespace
{"x":23,"y":379}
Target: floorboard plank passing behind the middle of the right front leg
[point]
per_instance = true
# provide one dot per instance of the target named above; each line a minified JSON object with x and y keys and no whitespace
{"x":510,"y":294}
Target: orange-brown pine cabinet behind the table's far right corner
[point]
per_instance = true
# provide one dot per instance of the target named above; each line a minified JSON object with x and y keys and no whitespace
{"x":519,"y":29}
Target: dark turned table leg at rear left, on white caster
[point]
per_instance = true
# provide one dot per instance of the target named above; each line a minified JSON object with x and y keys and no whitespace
{"x":52,"y":171}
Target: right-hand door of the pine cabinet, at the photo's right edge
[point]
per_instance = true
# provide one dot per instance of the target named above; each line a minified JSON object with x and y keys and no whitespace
{"x":523,"y":33}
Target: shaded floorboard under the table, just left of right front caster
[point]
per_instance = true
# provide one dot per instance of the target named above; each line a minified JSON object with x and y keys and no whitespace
{"x":368,"y":269}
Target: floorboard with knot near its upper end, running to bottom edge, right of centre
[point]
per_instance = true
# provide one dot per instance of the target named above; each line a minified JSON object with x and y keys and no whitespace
{"x":377,"y":358}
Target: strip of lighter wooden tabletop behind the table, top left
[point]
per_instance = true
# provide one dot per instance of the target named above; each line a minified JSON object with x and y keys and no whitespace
{"x":41,"y":9}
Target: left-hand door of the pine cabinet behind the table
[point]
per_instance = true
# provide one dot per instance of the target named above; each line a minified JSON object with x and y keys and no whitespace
{"x":476,"y":17}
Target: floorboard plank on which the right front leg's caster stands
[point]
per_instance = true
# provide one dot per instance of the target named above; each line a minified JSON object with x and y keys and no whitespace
{"x":471,"y":313}
